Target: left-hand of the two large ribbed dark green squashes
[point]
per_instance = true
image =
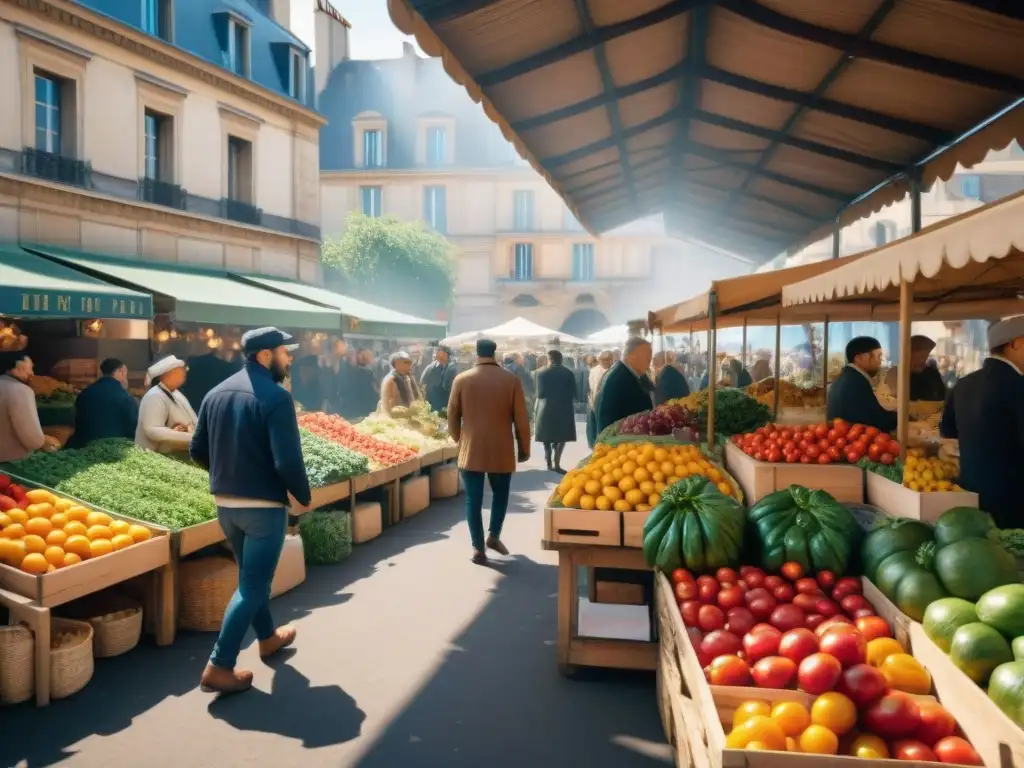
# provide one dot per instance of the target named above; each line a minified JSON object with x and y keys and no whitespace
{"x":695,"y":525}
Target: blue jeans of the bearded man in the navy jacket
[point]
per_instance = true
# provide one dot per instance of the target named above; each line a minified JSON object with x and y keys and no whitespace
{"x":257,"y":536}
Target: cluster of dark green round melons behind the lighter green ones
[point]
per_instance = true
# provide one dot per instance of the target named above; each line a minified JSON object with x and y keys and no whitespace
{"x":915,"y":565}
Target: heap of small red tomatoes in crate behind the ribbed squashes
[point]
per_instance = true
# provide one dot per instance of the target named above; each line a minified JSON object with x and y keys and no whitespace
{"x":835,"y":443}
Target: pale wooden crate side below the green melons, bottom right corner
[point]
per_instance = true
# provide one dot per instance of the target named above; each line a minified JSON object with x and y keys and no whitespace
{"x":1003,"y":743}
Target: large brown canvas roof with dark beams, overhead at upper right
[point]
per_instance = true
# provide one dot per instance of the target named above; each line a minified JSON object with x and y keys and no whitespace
{"x":751,"y":124}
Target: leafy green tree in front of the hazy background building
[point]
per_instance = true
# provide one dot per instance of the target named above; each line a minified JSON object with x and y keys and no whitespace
{"x":395,"y":264}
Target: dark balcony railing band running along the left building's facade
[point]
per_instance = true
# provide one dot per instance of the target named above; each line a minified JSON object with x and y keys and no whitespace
{"x":54,"y":167}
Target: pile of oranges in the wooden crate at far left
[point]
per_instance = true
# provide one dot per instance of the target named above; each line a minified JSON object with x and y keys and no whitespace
{"x":55,"y":533}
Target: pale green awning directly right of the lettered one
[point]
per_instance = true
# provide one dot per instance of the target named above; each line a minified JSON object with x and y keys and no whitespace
{"x":203,"y":295}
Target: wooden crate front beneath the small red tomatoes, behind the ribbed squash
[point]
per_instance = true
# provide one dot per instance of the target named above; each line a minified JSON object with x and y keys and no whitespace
{"x":758,"y":480}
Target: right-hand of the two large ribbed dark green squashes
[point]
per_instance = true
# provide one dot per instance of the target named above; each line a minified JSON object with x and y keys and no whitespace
{"x":806,"y":527}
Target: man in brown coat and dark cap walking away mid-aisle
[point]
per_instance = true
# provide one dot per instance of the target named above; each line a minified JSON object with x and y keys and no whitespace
{"x":487,"y":404}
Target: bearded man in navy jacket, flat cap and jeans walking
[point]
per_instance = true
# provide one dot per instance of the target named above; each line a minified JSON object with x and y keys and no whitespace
{"x":248,"y":438}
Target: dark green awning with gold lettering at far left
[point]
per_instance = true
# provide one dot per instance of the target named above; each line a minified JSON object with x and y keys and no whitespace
{"x":33,"y":287}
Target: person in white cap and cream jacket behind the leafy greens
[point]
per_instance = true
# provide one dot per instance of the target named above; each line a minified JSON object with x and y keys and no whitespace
{"x":166,"y":421}
